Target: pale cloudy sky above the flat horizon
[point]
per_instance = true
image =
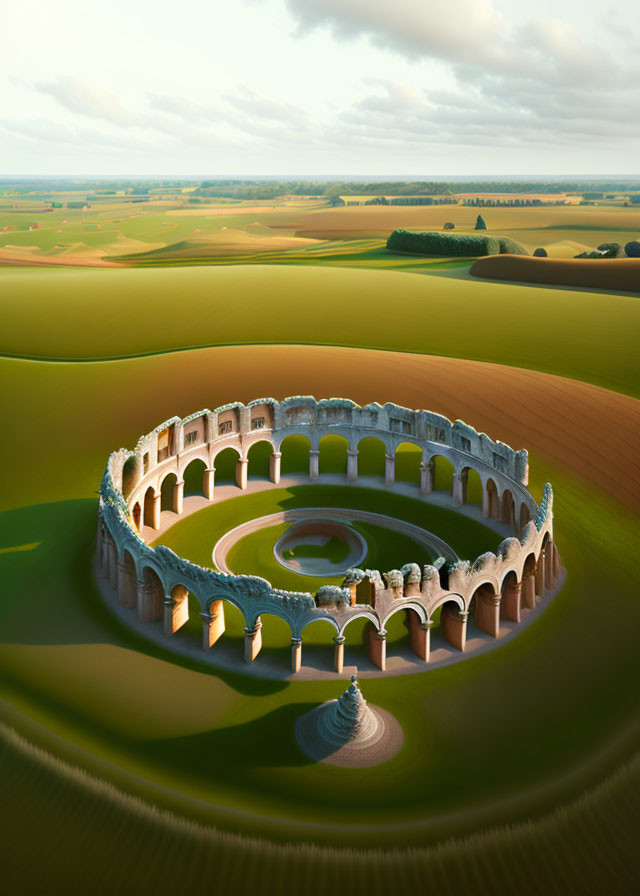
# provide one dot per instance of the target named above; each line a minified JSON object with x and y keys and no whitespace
{"x":303,"y":87}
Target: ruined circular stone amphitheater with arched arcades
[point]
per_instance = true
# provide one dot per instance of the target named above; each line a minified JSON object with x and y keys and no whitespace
{"x":154,"y":582}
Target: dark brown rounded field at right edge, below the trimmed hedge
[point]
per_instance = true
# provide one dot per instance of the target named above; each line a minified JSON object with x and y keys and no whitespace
{"x":620,"y":274}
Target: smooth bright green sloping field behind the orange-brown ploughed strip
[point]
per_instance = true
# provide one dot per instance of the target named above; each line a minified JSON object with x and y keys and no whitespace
{"x":80,"y":314}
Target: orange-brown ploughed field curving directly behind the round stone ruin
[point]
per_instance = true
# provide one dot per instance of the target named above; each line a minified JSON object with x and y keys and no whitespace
{"x":591,"y":431}
